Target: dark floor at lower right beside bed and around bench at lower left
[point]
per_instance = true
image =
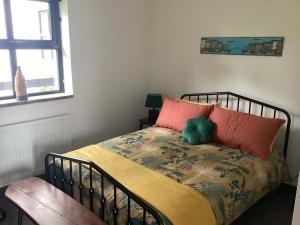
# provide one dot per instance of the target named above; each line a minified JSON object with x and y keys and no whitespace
{"x":274,"y":209}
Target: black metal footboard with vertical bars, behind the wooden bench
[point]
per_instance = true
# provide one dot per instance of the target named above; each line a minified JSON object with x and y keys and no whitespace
{"x":51,"y":158}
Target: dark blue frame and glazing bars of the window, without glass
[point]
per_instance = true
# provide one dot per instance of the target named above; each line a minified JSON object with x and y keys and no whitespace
{"x":55,"y":43}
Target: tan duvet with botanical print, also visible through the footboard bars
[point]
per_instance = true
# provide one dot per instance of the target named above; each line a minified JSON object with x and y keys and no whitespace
{"x":230,"y":179}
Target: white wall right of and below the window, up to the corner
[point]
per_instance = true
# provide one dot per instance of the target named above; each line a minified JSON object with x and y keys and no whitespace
{"x":108,"y":51}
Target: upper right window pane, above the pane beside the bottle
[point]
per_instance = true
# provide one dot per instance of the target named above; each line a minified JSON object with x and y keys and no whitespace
{"x":31,"y":19}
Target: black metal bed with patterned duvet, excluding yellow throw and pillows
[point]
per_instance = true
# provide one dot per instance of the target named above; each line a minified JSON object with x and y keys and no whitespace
{"x":229,"y":178}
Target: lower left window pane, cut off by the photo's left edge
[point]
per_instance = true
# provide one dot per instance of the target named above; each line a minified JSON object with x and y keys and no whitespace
{"x":5,"y":74}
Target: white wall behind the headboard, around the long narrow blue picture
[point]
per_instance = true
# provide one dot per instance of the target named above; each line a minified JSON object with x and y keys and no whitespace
{"x":176,"y":65}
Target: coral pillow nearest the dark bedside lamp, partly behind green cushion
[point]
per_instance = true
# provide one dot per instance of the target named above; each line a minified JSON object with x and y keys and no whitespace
{"x":174,"y":114}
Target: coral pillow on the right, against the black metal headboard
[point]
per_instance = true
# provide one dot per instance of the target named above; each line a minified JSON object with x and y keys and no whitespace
{"x":247,"y":132}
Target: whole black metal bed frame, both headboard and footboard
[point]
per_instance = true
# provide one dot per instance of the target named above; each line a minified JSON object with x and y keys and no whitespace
{"x":51,"y":159}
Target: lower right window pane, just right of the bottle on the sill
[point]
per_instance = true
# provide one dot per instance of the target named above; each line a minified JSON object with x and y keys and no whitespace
{"x":40,"y":69}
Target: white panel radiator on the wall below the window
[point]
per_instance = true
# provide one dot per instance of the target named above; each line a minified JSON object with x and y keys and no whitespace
{"x":23,"y":146}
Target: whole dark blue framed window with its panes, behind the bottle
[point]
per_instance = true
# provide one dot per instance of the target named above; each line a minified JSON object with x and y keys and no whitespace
{"x":30,"y":37}
